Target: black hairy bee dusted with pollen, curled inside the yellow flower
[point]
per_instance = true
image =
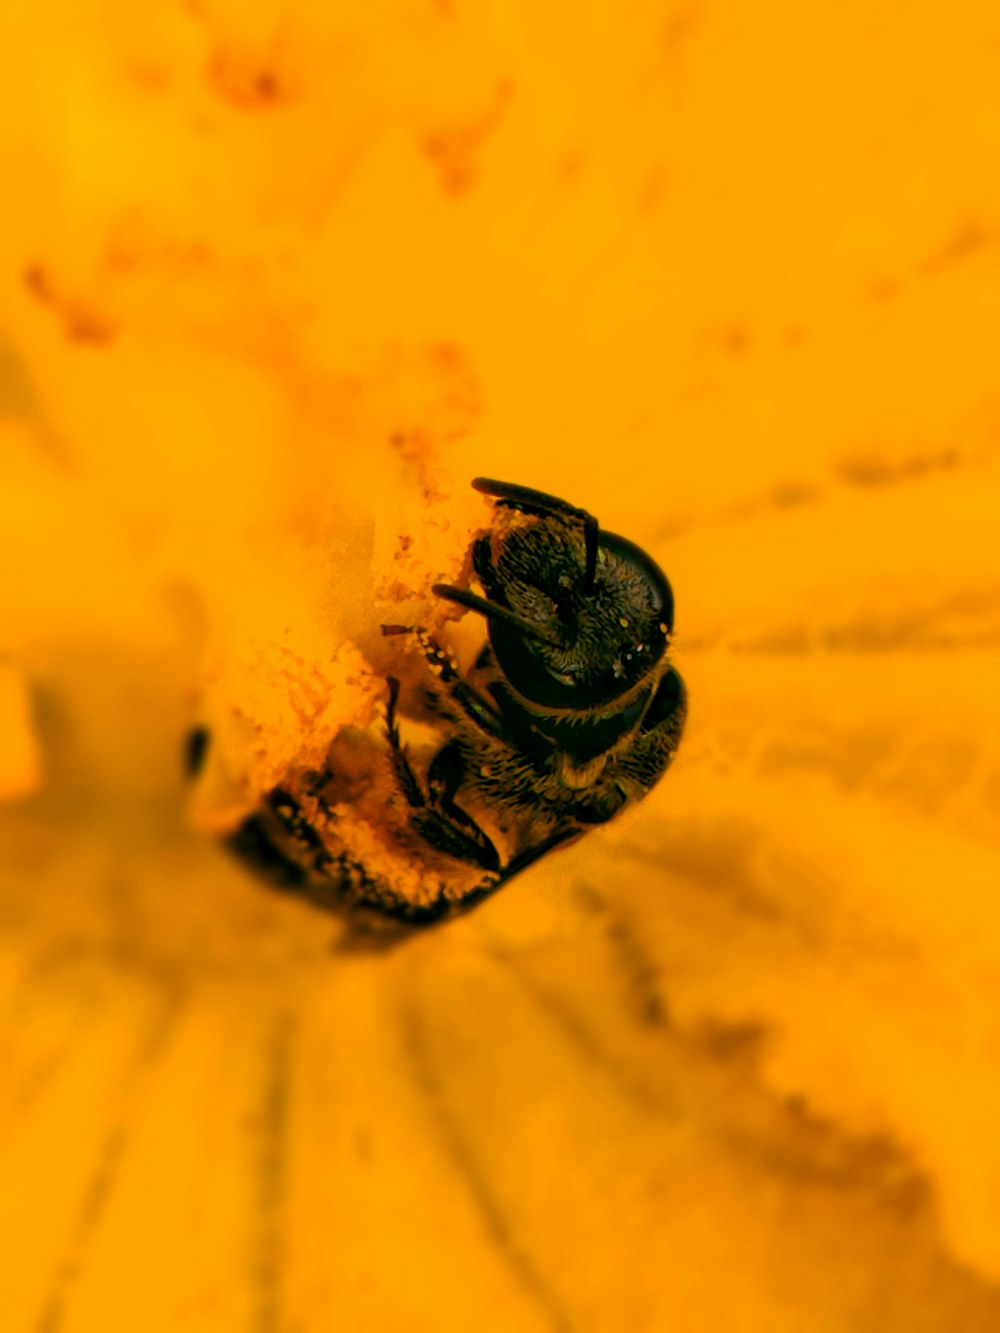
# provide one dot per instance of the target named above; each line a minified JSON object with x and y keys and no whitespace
{"x":571,"y":712}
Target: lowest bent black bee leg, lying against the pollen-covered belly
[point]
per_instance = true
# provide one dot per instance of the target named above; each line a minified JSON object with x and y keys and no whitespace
{"x":435,"y":815}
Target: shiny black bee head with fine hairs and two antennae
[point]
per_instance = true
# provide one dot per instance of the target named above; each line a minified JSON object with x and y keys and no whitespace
{"x":577,"y":617}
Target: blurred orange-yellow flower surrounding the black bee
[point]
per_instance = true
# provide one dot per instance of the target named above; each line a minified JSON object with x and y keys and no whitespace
{"x":277,"y":279}
